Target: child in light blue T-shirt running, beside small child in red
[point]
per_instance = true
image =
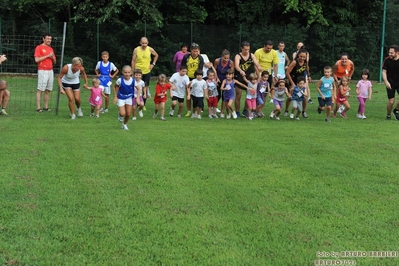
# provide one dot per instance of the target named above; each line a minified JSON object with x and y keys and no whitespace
{"x":327,"y":91}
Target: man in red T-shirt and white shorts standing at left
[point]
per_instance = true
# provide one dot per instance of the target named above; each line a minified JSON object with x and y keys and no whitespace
{"x":45,"y":59}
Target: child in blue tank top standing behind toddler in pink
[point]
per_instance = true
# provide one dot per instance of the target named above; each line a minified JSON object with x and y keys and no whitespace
{"x":104,"y":70}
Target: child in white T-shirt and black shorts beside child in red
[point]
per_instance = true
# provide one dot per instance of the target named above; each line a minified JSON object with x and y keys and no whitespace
{"x":180,"y":81}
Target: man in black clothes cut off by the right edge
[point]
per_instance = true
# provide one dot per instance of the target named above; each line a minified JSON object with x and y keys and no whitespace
{"x":390,"y":75}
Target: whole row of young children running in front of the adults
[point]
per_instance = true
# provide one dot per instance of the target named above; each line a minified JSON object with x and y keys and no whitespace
{"x":130,"y":91}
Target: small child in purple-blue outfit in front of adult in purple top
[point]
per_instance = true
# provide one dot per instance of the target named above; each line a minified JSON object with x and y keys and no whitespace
{"x":228,"y":88}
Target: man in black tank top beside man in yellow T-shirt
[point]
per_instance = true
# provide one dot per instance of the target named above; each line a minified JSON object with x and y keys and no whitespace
{"x":244,"y":64}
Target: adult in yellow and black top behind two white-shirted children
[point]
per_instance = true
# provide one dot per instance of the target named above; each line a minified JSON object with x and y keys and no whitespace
{"x":193,"y":61}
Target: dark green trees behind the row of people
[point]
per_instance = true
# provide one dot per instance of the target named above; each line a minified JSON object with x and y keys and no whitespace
{"x":328,"y":28}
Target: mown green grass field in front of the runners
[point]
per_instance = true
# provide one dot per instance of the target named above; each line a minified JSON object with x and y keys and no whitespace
{"x":196,"y":192}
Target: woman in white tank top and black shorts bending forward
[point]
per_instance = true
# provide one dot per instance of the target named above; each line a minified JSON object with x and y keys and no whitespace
{"x":69,"y":84}
